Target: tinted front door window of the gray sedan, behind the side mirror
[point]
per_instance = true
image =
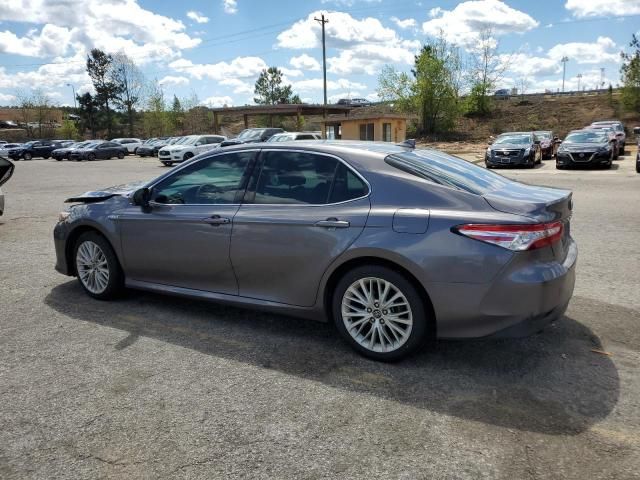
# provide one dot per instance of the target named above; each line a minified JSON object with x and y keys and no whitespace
{"x":213,"y":180}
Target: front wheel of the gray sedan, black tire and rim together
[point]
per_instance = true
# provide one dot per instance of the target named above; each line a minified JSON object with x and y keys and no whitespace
{"x":91,"y":249}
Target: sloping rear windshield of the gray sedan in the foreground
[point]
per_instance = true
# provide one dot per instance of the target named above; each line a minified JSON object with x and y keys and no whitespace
{"x":444,"y":169}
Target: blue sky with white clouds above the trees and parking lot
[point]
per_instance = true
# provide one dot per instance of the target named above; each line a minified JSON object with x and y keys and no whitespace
{"x":216,"y":48}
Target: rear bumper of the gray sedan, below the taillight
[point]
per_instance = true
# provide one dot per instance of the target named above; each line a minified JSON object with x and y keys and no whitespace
{"x":520,"y":301}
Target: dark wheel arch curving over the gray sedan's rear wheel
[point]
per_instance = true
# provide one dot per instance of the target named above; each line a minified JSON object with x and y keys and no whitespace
{"x":343,"y":268}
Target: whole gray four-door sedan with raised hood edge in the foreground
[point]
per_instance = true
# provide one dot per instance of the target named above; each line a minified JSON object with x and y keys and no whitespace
{"x":392,"y":243}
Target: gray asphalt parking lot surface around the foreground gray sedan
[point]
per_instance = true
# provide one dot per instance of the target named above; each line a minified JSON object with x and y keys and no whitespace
{"x":158,"y":387}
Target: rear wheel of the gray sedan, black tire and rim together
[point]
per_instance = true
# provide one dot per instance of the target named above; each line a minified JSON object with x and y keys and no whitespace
{"x":406,"y":338}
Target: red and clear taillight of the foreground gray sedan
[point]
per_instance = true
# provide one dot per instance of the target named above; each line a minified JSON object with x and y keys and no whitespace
{"x":514,"y":237}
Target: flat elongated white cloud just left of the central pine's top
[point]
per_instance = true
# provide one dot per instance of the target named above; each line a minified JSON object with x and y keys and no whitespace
{"x":240,"y":67}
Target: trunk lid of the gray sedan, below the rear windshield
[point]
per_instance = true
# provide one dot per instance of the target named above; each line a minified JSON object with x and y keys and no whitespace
{"x":541,"y":204}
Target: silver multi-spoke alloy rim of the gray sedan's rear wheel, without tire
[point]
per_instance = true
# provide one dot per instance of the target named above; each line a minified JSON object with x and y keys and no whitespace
{"x":377,"y":314}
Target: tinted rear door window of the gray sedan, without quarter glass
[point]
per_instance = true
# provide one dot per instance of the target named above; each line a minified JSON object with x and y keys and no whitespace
{"x":295,"y":178}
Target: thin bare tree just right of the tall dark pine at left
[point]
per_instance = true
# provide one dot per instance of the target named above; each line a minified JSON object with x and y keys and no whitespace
{"x":130,"y":81}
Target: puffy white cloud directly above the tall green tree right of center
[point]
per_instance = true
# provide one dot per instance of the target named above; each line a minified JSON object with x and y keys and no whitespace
{"x":463,"y":24}
